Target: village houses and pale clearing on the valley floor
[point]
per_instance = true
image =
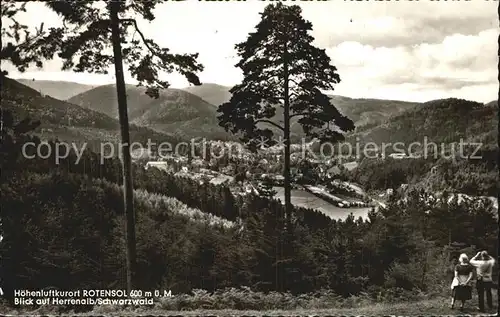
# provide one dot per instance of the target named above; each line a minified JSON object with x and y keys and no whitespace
{"x":320,"y":182}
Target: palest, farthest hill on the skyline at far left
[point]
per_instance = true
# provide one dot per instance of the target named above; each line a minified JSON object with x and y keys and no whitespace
{"x":61,"y":90}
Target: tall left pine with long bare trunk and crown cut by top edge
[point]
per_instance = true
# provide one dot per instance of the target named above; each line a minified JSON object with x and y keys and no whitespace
{"x":86,"y":34}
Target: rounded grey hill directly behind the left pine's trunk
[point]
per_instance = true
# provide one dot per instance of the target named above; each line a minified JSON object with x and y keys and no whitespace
{"x":175,"y":111}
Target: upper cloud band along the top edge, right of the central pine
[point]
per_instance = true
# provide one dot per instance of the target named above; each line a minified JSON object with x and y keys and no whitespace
{"x":405,"y":23}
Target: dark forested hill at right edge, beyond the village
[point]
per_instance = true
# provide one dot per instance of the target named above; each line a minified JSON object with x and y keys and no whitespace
{"x":444,"y":166}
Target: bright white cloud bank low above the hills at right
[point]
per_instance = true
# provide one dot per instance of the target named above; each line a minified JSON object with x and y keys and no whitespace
{"x":459,"y":61}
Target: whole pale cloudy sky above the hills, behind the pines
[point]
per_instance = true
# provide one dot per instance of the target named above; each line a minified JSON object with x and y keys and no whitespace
{"x":402,"y":50}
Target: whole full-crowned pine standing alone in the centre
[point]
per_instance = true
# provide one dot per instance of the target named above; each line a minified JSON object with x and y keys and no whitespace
{"x":282,"y":69}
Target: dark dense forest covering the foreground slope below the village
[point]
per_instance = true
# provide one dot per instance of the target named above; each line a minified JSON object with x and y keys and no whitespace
{"x":68,"y":219}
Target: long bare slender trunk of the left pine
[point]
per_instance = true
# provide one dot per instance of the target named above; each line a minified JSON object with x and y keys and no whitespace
{"x":127,"y":162}
